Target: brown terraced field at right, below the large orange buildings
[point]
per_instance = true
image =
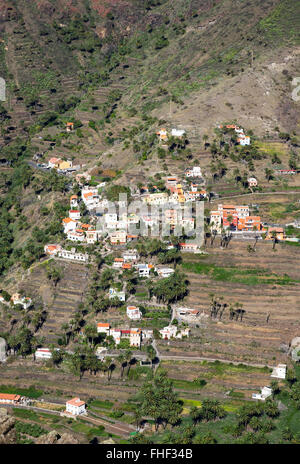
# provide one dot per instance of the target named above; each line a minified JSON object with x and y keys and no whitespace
{"x":254,"y":339}
